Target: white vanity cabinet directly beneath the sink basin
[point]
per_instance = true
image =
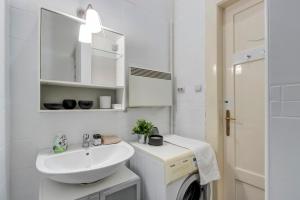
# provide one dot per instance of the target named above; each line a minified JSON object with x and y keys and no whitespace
{"x":123,"y":185}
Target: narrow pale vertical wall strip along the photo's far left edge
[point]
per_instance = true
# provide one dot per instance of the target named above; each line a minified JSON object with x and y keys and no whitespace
{"x":4,"y":141}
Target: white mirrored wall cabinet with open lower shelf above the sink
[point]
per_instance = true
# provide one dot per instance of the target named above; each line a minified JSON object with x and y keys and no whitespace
{"x":70,"y":69}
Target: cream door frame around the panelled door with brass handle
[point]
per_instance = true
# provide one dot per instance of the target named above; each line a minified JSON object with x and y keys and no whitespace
{"x":214,"y":87}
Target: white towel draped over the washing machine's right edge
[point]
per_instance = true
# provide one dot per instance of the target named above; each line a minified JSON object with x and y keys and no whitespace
{"x":205,"y":156}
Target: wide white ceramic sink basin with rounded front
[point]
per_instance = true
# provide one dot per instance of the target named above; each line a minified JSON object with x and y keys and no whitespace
{"x":84,"y":165}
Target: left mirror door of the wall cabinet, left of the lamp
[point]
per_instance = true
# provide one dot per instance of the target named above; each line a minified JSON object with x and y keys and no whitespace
{"x":59,"y":47}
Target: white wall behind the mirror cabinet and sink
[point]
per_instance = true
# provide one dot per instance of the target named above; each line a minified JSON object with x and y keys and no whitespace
{"x":145,"y":23}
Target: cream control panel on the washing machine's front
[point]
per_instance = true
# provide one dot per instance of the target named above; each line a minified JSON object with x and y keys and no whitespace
{"x":180,"y":167}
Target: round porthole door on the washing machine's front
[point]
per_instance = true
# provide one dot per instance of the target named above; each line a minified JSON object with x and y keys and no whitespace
{"x":192,"y":190}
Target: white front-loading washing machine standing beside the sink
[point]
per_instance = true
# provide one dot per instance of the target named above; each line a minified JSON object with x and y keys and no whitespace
{"x":168,"y":172}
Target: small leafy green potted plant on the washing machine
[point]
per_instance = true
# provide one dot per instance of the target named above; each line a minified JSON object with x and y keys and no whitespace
{"x":143,"y":130}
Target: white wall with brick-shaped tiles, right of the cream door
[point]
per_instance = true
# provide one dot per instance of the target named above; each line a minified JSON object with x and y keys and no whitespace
{"x":284,"y":91}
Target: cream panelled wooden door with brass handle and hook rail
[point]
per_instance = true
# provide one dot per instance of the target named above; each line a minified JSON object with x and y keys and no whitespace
{"x":244,"y":100}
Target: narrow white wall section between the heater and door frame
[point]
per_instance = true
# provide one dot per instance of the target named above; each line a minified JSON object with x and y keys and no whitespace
{"x":189,"y":67}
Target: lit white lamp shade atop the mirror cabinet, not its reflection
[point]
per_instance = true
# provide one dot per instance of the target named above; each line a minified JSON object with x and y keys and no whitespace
{"x":93,"y":21}
